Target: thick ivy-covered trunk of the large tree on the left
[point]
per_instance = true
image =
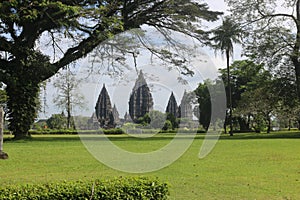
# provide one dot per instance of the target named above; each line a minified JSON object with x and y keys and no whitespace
{"x":22,"y":98}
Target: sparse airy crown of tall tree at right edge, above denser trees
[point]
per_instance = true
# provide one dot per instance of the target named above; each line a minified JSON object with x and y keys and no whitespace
{"x":272,"y":30}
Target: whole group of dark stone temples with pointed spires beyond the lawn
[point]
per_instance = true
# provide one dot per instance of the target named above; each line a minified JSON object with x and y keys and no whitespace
{"x":140,"y":103}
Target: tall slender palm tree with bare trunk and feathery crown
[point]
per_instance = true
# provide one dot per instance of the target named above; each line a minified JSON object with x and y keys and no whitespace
{"x":223,"y":39}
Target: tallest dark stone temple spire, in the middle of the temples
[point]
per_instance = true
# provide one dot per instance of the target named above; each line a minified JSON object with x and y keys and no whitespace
{"x":140,"y":101}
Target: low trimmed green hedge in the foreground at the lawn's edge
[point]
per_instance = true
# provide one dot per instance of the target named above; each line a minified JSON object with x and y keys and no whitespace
{"x":122,"y":188}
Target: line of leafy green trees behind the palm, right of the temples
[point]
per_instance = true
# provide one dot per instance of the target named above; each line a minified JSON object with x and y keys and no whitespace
{"x":260,"y":99}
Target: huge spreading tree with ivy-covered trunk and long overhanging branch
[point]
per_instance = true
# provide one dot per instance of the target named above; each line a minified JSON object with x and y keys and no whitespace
{"x":84,"y":24}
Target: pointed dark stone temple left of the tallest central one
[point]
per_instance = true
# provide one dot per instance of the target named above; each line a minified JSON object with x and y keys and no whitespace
{"x":105,"y":114}
